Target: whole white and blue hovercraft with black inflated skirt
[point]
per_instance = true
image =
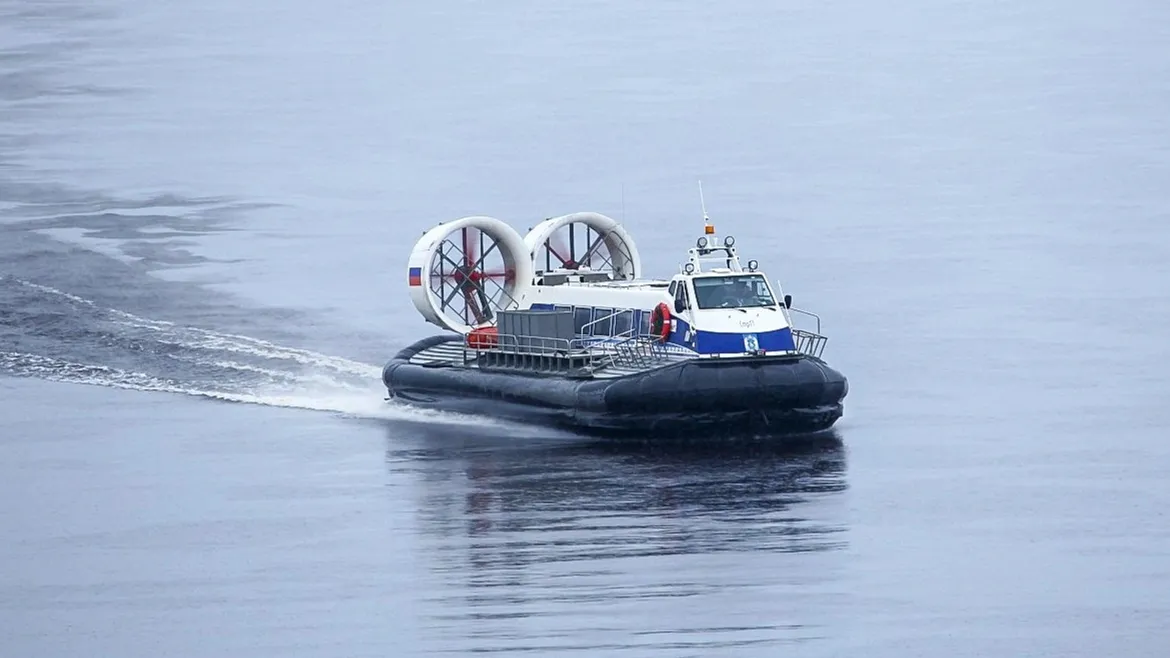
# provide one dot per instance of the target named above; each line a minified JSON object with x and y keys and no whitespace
{"x":561,"y":327}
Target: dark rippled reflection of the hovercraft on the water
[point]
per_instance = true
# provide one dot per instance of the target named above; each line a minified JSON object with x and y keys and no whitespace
{"x":531,"y":542}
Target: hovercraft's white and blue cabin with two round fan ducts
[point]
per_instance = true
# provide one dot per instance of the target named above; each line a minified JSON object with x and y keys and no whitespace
{"x":463,"y":273}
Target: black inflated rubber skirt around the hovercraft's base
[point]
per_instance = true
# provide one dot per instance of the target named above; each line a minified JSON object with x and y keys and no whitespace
{"x":728,"y":396}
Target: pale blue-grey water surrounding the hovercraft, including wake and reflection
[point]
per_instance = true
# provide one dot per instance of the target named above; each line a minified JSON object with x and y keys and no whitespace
{"x":207,"y":204}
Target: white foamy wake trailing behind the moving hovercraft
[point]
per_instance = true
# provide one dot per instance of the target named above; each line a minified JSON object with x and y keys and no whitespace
{"x":161,"y":357}
